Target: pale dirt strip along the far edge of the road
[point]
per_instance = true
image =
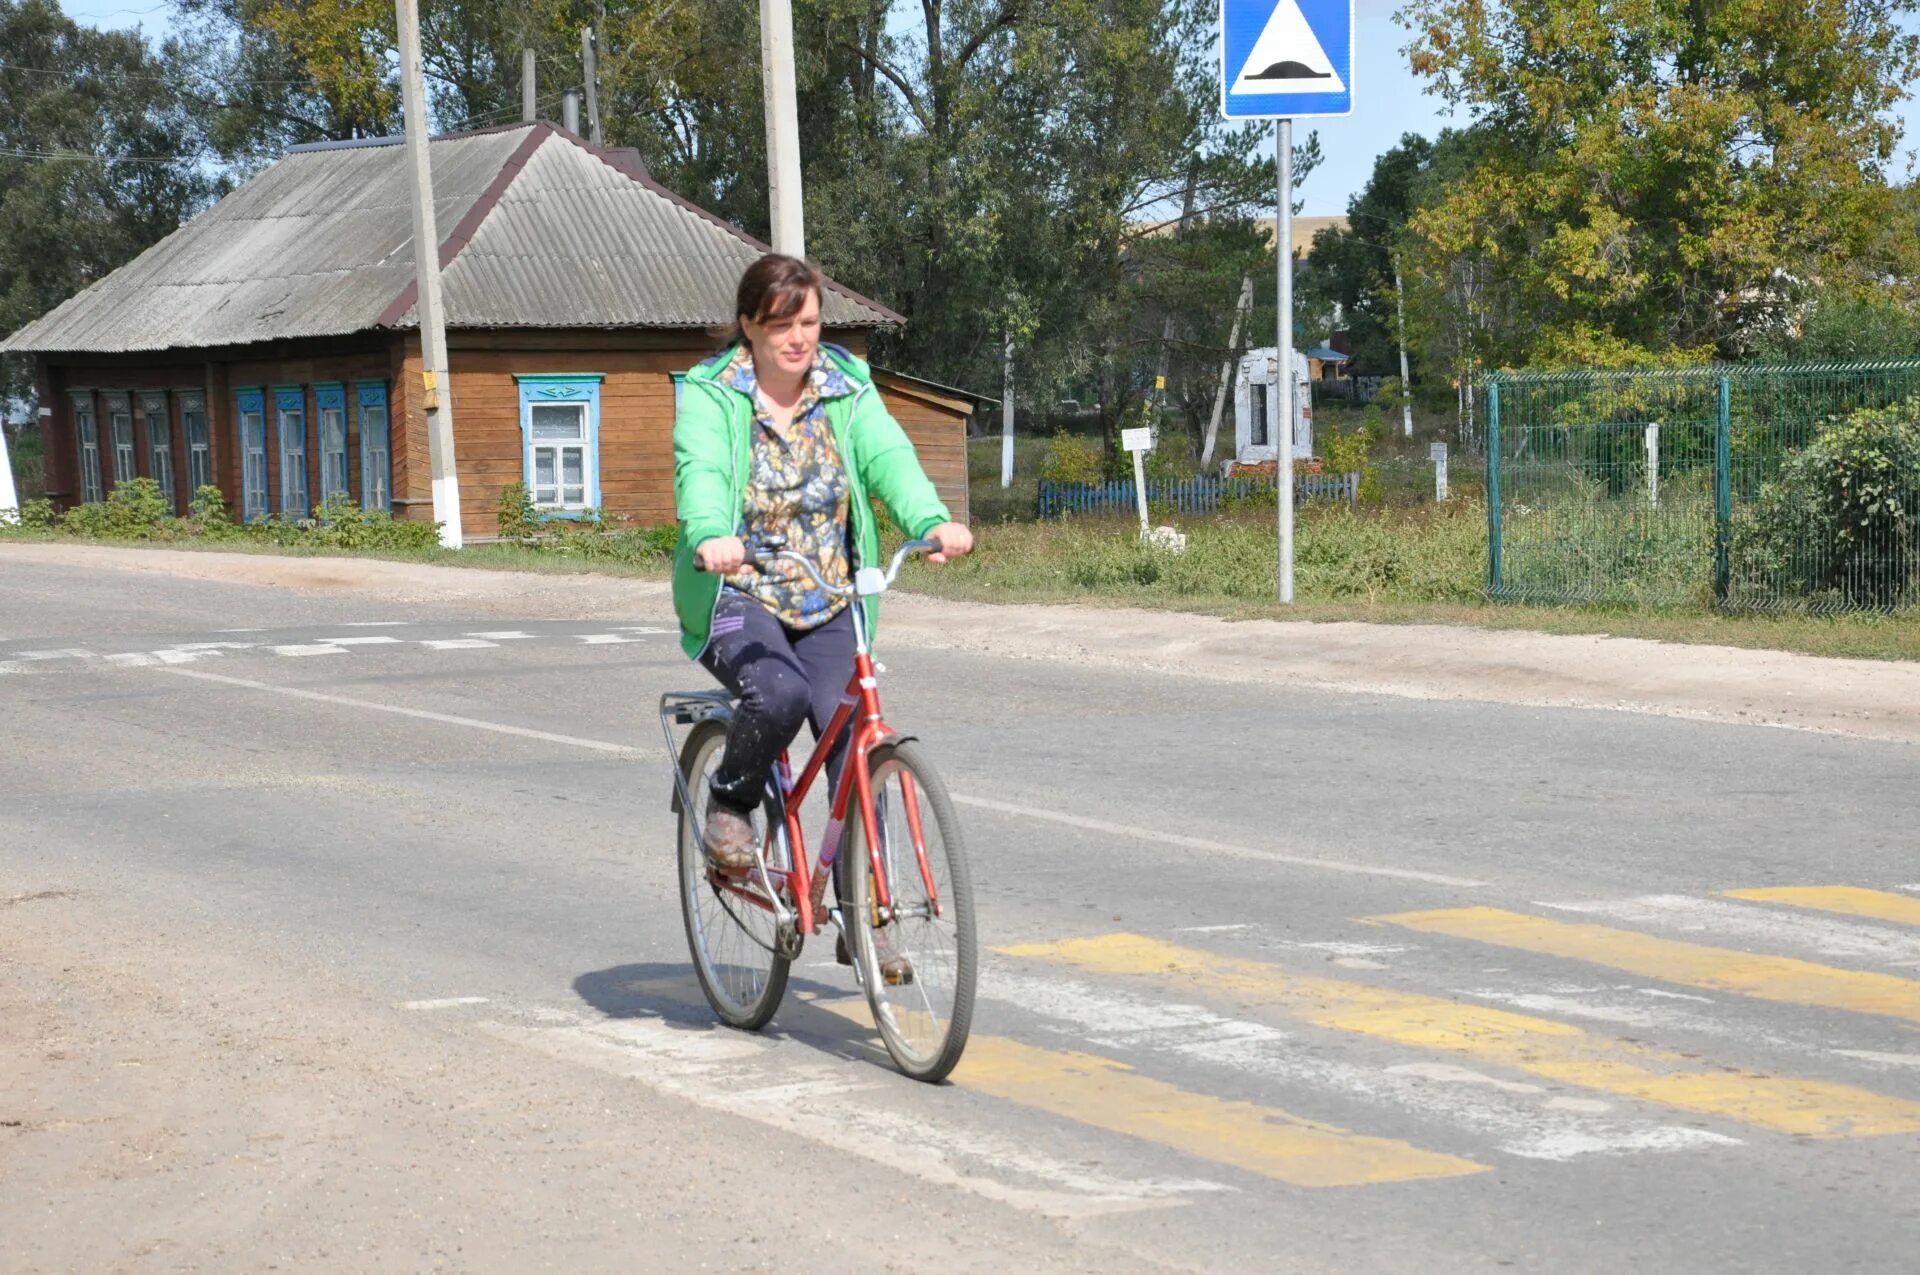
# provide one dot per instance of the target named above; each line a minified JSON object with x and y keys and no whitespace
{"x":1873,"y":700}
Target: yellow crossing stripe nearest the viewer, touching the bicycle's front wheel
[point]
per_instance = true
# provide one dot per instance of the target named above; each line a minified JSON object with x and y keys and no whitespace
{"x":1247,"y":1136}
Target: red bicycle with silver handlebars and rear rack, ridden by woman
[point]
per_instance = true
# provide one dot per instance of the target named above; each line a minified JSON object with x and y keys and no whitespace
{"x":907,"y":890}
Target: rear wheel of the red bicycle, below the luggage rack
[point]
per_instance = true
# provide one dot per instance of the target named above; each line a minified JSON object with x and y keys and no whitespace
{"x":732,"y":938}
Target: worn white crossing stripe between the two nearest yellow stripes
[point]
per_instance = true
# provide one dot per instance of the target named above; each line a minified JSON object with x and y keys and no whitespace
{"x":1529,"y":1120}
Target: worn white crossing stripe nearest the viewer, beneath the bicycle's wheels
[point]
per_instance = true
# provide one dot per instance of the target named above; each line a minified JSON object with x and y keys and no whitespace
{"x":844,"y":1109}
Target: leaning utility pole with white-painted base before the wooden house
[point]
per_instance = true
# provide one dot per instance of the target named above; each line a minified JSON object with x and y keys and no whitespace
{"x":435,"y":381}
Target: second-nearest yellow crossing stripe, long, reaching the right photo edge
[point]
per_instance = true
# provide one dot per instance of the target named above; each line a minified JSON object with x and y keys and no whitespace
{"x":1499,"y":1038}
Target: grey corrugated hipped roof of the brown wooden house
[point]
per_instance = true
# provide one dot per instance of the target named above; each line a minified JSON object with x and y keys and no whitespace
{"x":322,"y":245}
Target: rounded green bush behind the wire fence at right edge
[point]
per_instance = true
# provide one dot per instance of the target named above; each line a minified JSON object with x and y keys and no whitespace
{"x":1842,"y":517}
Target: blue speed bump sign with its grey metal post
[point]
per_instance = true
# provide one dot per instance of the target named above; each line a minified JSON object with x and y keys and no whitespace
{"x":1285,"y":60}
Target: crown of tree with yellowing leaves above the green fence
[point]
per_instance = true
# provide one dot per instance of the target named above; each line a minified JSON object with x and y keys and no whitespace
{"x":1656,"y":176}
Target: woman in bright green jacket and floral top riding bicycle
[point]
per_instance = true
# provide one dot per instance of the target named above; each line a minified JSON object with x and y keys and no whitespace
{"x":782,"y":437}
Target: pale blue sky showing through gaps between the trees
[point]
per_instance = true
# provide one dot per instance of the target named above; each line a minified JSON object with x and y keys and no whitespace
{"x":1387,"y":99}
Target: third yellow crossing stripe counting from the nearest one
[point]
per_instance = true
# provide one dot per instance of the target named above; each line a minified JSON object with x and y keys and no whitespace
{"x":1716,"y":969}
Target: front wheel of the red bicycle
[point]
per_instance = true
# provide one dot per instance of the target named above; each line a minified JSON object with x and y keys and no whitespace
{"x":924,"y":1019}
